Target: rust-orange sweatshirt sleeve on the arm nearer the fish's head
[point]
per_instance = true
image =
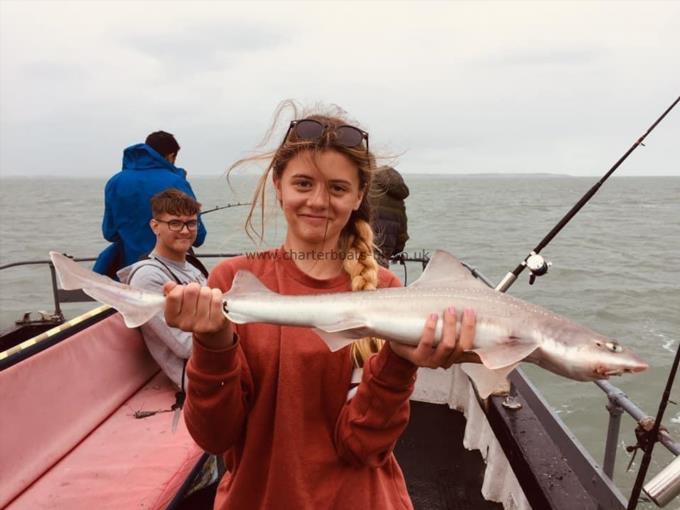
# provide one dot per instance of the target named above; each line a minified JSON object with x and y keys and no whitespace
{"x":370,"y":424}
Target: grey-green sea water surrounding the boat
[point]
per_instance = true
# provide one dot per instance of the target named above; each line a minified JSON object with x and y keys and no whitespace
{"x":615,"y":267}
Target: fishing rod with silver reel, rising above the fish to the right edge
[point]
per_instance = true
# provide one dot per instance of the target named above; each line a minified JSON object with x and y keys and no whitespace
{"x":536,"y":263}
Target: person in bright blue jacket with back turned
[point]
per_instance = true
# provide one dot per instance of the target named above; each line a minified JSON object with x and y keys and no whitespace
{"x":148,"y":168}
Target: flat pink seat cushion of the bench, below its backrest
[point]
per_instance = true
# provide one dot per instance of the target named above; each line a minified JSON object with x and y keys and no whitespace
{"x":125,"y":463}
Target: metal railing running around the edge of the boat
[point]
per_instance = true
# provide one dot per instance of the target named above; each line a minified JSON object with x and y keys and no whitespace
{"x":618,"y":401}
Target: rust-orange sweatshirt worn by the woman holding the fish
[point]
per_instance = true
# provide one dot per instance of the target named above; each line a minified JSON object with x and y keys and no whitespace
{"x":276,"y":405}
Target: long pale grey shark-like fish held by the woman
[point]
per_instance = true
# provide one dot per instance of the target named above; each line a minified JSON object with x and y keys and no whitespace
{"x":509,"y":330}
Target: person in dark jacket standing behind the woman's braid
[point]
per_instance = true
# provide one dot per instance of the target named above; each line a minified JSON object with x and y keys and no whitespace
{"x":389,"y":213}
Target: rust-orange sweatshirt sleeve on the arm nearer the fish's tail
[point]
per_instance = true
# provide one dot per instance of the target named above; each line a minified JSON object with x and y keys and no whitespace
{"x":219,"y":390}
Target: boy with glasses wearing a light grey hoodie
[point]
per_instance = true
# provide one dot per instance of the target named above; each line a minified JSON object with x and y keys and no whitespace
{"x":175,"y":225}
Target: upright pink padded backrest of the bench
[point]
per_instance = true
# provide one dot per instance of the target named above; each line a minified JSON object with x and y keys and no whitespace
{"x":54,"y":399}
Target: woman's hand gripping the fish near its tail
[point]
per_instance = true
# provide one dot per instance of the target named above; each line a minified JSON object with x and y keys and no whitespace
{"x":198,"y":310}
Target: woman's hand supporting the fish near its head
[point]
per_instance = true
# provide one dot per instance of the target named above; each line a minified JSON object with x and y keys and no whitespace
{"x":452,"y":347}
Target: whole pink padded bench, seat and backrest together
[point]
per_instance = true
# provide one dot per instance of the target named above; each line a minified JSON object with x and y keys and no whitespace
{"x":69,"y":438}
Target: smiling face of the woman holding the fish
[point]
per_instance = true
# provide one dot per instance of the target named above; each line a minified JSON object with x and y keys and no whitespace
{"x":318,"y":193}
